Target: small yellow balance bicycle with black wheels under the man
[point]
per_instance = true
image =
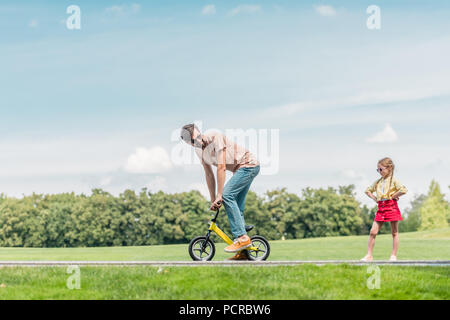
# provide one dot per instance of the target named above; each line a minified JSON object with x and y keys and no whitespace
{"x":203,"y":248}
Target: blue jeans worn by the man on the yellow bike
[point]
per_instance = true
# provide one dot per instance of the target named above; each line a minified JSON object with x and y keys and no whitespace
{"x":233,"y":198}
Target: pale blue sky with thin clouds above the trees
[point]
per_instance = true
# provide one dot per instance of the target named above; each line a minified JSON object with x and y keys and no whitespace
{"x":76,"y":104}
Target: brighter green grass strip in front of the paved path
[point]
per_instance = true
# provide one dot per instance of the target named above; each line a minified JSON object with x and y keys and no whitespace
{"x":241,"y":283}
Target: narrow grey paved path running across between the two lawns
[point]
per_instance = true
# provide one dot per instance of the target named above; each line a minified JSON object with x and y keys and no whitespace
{"x":219,"y":263}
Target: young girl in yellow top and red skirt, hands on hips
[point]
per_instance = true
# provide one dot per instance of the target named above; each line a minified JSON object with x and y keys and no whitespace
{"x":388,"y":191}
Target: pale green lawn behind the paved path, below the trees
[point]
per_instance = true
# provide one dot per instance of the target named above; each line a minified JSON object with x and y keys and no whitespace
{"x":427,"y":245}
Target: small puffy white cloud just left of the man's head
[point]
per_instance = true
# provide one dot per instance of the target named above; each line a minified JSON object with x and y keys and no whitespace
{"x":153,"y":160}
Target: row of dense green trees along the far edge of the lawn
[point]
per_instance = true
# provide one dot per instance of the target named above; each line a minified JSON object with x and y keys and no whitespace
{"x":101,"y":219}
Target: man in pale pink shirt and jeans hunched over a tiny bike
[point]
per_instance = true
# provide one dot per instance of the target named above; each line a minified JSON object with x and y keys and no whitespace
{"x":215,"y":149}
